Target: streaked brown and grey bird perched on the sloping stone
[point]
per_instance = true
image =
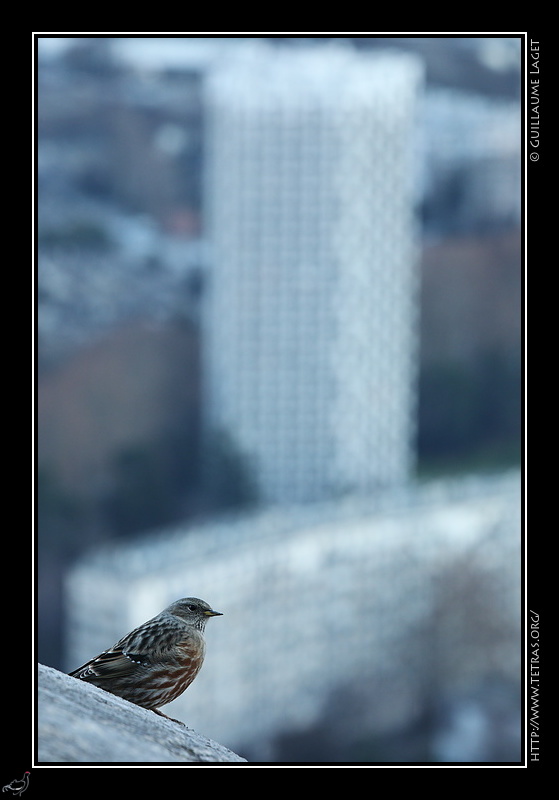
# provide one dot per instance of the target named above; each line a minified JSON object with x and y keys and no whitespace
{"x":153,"y":664}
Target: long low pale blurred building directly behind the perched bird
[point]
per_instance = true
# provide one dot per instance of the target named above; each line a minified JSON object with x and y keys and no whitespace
{"x":344,"y":622}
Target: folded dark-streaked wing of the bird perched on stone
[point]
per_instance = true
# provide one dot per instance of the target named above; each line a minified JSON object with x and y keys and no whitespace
{"x":145,"y":646}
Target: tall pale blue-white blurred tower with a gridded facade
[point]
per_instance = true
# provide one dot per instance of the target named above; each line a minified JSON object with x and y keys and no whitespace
{"x":310,"y":322}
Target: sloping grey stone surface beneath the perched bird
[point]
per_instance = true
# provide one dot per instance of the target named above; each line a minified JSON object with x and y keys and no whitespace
{"x":78,"y":722}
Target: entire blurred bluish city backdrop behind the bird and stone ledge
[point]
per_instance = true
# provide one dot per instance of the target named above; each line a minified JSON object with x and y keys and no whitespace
{"x":279,"y":368}
